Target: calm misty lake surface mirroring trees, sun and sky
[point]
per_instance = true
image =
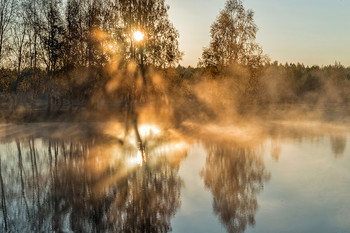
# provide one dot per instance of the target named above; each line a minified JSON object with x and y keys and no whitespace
{"x":99,"y":177}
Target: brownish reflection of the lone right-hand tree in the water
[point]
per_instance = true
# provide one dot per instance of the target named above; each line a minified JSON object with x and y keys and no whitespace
{"x":234,"y":176}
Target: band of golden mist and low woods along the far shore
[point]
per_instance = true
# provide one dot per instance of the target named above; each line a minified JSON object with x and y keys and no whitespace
{"x":271,"y":91}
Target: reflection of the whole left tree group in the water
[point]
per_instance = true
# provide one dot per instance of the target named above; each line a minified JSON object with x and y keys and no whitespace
{"x":86,"y":186}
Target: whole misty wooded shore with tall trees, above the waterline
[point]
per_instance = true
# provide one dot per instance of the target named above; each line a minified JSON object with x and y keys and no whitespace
{"x":81,"y":58}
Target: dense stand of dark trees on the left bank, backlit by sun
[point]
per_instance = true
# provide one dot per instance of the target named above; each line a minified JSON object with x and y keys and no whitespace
{"x":65,"y":51}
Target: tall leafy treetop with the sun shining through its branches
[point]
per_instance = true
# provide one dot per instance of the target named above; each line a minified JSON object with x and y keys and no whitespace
{"x":160,"y":45}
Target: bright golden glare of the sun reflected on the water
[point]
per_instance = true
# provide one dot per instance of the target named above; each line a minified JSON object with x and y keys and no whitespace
{"x":129,"y":150}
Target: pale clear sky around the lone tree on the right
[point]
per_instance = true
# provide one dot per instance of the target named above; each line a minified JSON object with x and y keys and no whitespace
{"x":313,"y":32}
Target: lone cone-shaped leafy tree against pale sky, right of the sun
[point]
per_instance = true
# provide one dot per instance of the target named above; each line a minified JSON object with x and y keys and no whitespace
{"x":233,"y":38}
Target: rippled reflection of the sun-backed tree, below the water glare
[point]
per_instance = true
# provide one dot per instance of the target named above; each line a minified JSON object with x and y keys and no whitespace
{"x":147,"y":200}
